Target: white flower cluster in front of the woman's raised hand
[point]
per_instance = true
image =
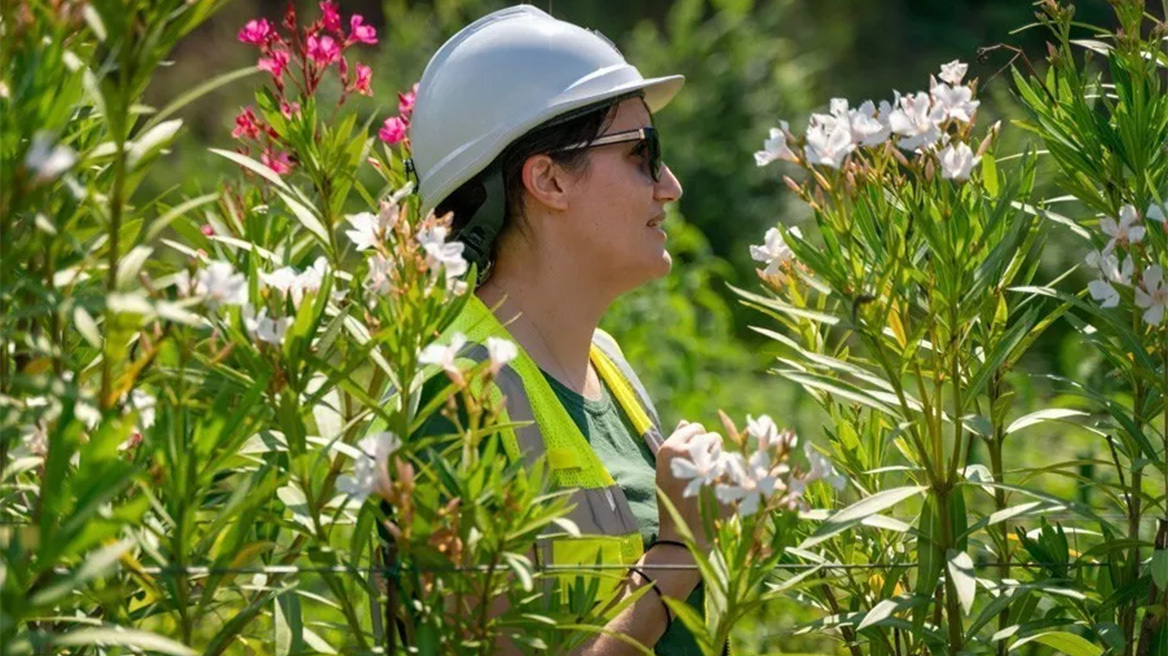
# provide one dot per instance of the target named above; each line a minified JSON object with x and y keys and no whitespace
{"x":762,"y":476}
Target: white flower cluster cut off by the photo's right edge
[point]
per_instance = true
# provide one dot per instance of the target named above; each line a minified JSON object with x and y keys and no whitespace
{"x":1125,"y":238}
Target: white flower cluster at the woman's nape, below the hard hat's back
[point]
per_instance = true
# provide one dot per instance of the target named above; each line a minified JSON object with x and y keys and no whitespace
{"x":400,"y":247}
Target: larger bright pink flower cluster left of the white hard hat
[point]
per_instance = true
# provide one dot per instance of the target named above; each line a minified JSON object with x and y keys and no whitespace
{"x":302,"y":58}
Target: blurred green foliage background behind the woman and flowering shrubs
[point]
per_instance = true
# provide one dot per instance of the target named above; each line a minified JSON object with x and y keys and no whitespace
{"x":749,"y":65}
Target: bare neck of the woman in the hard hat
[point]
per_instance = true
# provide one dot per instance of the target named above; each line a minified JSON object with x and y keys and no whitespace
{"x":552,"y":316}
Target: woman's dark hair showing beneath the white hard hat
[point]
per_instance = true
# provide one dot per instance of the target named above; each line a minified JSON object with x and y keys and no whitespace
{"x":576,"y":128}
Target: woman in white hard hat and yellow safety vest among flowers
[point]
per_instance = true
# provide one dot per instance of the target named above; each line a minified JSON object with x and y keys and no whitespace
{"x":538,"y":136}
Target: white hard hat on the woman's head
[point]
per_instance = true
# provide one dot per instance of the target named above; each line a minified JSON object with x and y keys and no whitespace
{"x":504,"y":75}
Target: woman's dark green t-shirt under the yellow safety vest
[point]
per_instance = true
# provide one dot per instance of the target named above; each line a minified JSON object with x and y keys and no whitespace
{"x":632,"y":466}
